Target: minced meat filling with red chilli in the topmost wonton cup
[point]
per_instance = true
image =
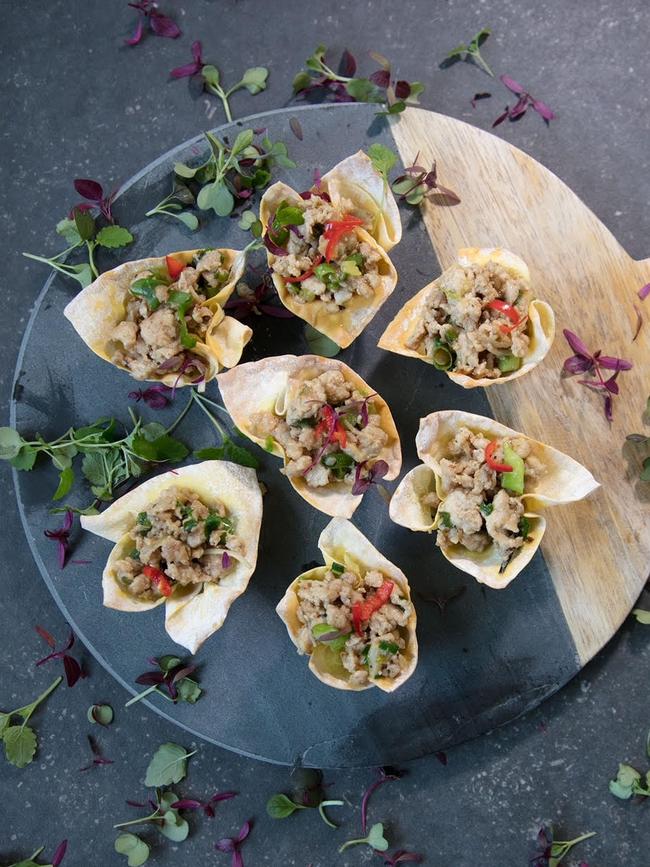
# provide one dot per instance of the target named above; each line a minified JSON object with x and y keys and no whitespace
{"x":352,"y":271}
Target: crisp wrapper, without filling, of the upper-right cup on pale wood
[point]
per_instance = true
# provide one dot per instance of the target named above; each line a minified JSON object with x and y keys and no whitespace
{"x":540,"y":328}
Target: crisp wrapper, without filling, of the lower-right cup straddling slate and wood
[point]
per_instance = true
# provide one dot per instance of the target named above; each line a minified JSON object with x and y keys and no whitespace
{"x":564,"y":481}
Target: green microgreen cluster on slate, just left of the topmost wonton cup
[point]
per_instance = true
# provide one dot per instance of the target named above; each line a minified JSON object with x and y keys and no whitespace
{"x":227,"y":178}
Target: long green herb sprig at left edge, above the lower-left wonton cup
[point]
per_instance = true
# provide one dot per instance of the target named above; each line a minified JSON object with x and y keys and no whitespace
{"x":109,"y":459}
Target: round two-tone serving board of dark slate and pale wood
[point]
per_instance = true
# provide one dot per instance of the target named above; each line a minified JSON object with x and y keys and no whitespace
{"x":493,"y":654}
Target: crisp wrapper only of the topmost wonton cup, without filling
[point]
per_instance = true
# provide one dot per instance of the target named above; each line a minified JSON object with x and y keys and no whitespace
{"x":345,"y":325}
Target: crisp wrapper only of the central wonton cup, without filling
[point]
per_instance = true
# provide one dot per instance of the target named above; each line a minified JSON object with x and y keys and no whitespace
{"x":262,"y":386}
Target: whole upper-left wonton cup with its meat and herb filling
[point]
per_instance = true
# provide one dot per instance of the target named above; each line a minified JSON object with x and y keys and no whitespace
{"x":162,"y":319}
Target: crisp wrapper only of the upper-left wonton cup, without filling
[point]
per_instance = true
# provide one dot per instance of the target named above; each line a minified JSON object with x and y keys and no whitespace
{"x":100,"y":307}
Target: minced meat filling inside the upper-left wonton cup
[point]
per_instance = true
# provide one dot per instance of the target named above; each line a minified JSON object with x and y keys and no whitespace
{"x":165,"y":317}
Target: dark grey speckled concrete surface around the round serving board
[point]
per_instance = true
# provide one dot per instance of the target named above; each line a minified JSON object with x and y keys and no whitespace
{"x":79,"y":103}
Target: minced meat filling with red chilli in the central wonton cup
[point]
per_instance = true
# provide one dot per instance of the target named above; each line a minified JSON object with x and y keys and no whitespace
{"x":331,"y":432}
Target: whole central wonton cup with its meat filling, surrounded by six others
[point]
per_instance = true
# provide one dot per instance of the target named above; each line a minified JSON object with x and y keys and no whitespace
{"x":334,"y":432}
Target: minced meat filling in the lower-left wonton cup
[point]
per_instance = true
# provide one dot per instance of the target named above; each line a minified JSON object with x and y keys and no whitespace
{"x":178,"y":541}
